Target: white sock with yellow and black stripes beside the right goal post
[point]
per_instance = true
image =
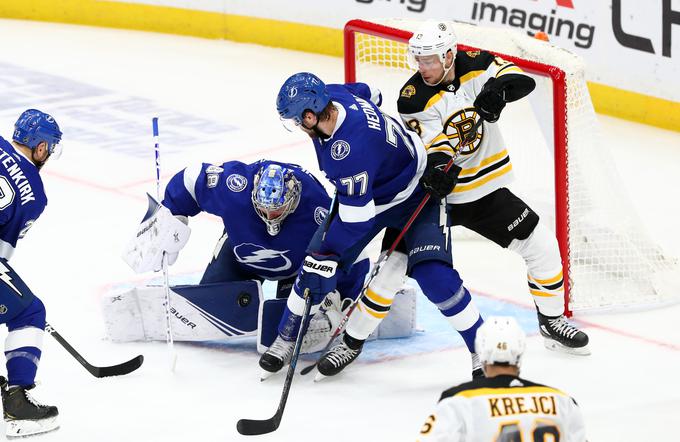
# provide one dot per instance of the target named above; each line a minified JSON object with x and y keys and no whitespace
{"x":544,"y":269}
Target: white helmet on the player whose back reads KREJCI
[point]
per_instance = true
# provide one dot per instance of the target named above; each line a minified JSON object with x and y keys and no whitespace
{"x":500,"y":340}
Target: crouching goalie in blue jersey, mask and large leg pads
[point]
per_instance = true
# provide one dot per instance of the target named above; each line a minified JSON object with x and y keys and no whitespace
{"x":270,"y":212}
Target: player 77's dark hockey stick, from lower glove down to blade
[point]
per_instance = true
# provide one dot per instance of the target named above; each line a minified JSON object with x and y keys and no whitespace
{"x":254,"y":427}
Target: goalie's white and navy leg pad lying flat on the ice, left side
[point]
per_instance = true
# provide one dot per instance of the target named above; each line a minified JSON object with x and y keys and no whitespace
{"x":203,"y":312}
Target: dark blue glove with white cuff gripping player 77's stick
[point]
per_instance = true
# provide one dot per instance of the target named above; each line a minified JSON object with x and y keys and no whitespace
{"x":318,"y":274}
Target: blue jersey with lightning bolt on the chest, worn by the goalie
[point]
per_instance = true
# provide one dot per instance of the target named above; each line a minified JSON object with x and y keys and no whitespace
{"x":226,"y":190}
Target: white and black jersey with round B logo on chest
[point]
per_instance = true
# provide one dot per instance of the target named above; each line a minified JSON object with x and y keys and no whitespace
{"x":443,"y":114}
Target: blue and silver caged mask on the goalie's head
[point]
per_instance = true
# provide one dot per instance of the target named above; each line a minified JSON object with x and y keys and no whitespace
{"x":276,"y":194}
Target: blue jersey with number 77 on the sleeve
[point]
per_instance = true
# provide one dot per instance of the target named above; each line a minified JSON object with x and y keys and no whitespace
{"x":373,"y":161}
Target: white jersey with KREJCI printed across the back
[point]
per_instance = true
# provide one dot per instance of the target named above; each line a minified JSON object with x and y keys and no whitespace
{"x":504,"y":409}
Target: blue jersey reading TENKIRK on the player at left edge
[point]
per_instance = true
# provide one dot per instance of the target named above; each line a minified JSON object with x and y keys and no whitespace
{"x":22,"y":197}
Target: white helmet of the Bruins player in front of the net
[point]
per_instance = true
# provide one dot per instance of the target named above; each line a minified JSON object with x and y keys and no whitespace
{"x":432,"y":38}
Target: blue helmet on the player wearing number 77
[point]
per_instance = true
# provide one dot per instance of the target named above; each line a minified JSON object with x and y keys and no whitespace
{"x":300,"y":92}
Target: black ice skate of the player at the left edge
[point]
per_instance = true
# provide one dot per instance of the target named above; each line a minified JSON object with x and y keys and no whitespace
{"x":24,"y":416}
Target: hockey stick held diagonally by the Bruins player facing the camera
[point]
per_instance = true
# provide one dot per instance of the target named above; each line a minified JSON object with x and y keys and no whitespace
{"x":469,"y":138}
